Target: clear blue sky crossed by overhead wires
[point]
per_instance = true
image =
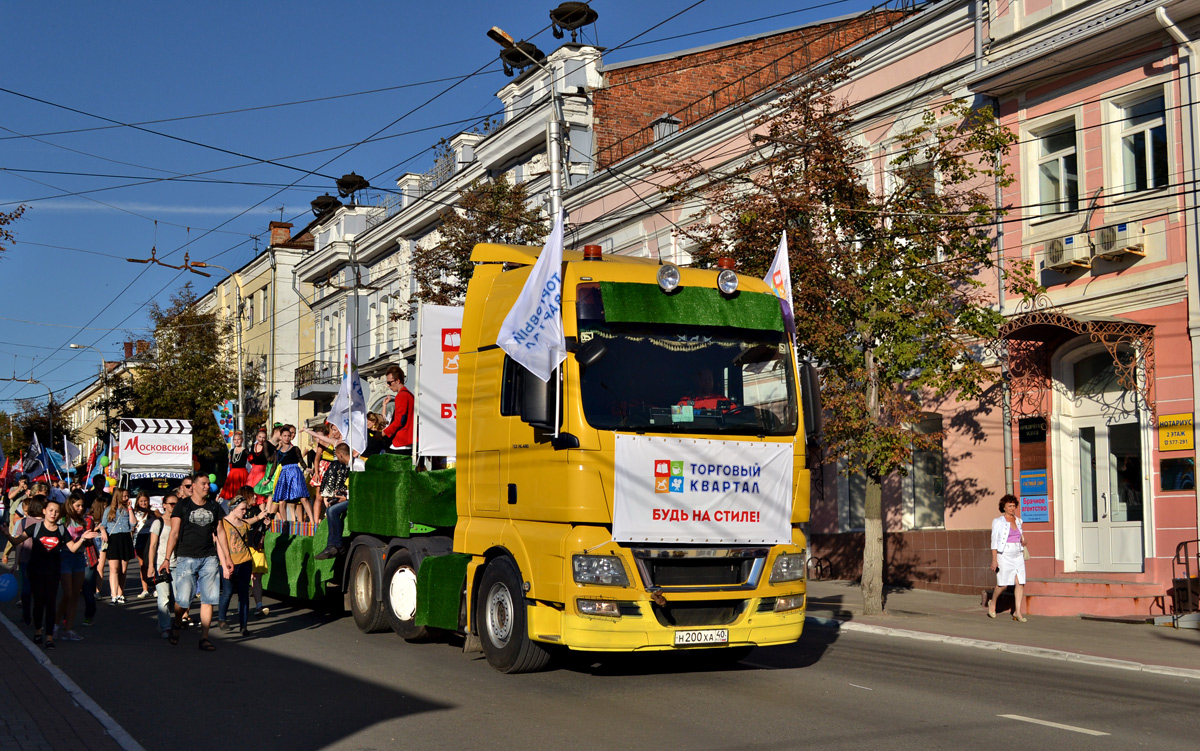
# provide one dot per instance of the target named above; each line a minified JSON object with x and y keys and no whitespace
{"x":67,"y":279}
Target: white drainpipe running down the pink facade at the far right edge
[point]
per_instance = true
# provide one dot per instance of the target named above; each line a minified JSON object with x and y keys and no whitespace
{"x":1189,"y":93}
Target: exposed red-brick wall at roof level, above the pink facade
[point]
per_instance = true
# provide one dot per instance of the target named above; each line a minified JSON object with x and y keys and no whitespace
{"x":694,"y":87}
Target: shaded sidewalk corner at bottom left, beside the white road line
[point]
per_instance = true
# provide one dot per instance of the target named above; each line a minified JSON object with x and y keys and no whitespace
{"x":38,"y":712}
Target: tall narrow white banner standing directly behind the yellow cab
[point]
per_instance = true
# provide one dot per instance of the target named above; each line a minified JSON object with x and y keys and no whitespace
{"x":437,"y":380}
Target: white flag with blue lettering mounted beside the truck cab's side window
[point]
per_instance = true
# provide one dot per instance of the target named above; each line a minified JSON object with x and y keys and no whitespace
{"x":532,"y":333}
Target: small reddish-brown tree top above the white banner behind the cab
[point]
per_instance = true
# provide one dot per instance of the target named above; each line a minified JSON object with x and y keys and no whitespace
{"x":487,"y":212}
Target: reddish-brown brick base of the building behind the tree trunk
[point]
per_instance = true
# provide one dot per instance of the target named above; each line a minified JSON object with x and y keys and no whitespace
{"x":955,"y":561}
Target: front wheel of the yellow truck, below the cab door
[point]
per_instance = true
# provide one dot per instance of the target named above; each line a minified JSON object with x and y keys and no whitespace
{"x":502,"y":622}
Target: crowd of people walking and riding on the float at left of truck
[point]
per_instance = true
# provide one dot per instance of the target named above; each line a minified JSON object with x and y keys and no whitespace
{"x":188,"y":546}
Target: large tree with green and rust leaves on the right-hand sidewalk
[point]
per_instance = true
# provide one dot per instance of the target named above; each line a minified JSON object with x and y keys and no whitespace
{"x":890,"y":287}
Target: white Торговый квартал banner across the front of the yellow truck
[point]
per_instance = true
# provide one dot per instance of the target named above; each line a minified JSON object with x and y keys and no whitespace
{"x":674,"y":490}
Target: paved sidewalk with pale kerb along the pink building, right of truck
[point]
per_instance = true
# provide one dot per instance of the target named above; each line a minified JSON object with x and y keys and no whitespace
{"x":962,"y":620}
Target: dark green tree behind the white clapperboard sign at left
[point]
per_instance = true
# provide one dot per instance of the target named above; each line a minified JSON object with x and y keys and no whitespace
{"x":190,"y":369}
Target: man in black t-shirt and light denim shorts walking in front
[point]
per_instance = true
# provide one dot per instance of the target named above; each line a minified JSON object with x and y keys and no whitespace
{"x":201,"y":556}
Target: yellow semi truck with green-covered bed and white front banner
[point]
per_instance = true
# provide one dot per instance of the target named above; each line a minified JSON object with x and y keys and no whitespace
{"x":649,"y":497}
